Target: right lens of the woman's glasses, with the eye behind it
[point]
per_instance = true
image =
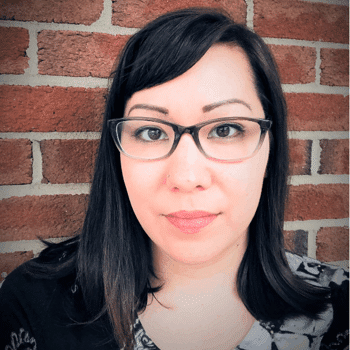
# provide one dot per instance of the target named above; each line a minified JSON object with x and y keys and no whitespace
{"x":230,"y":139}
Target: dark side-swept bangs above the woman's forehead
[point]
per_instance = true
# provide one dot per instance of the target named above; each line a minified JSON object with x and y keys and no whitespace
{"x":170,"y":47}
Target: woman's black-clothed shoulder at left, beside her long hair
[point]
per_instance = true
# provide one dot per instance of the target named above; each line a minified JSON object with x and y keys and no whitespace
{"x":38,"y":312}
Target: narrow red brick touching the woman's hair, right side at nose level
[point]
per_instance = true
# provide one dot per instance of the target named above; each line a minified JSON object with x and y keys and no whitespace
{"x":300,"y":157}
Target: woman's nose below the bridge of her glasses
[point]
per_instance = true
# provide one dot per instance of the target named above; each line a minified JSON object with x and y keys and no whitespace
{"x":188,"y":168}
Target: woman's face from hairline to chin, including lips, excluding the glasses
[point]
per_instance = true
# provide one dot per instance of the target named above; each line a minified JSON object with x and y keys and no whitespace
{"x":195,"y":209}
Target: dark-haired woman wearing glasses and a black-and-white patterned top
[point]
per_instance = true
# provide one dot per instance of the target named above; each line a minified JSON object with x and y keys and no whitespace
{"x":182,"y":245}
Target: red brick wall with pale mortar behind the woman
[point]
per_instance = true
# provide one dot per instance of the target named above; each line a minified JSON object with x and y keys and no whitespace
{"x":55,"y":57}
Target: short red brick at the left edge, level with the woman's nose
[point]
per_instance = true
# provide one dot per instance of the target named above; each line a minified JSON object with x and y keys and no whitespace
{"x":15,"y":162}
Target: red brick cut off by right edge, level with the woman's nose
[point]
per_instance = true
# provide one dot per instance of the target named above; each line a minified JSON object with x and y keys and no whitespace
{"x":334,"y":157}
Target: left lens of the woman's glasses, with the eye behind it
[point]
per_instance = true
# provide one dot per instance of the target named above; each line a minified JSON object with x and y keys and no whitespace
{"x":145,"y":139}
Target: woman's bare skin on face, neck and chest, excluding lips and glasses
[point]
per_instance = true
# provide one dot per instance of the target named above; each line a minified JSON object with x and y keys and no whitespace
{"x":190,"y":265}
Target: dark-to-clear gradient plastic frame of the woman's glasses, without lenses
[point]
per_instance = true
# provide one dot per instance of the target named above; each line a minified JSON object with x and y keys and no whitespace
{"x":193,"y":130}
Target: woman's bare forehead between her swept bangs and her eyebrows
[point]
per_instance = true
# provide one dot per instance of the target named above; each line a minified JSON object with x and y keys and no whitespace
{"x":223,"y":73}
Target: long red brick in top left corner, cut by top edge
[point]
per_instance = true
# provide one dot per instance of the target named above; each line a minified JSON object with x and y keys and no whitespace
{"x":63,"y":11}
